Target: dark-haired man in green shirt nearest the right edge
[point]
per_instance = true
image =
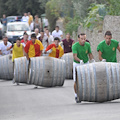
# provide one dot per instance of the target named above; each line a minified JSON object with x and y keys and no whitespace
{"x":107,"y":48}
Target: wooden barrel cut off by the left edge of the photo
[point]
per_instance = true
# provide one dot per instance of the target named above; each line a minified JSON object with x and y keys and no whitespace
{"x":6,"y":67}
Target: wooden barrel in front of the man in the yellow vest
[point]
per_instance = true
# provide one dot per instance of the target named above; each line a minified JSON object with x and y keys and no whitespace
{"x":21,"y":70}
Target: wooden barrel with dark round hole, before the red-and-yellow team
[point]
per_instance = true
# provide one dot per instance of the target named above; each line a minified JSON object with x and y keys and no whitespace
{"x":47,"y":71}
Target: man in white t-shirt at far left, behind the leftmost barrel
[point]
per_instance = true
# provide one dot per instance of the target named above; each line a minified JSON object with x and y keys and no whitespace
{"x":4,"y":45}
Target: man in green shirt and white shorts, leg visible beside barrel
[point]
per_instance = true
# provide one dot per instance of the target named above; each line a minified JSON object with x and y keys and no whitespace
{"x":81,"y":50}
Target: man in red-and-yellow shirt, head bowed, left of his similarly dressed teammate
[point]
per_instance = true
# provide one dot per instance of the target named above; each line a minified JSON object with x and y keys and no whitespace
{"x":33,"y":48}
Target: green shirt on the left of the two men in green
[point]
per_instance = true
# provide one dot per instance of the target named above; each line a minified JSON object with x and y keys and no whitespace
{"x":81,"y":51}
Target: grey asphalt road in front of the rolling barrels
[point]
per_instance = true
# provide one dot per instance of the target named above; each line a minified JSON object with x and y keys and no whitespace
{"x":23,"y":102}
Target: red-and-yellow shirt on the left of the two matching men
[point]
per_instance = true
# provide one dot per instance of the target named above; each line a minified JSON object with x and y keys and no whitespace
{"x":33,"y":50}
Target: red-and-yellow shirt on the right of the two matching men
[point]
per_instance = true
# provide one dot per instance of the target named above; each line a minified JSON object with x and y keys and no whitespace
{"x":56,"y":52}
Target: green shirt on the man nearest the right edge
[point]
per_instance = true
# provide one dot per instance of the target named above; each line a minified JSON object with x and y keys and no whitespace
{"x":108,"y":51}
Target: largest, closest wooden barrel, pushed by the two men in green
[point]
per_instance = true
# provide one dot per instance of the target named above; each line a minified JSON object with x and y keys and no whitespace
{"x":98,"y":82}
